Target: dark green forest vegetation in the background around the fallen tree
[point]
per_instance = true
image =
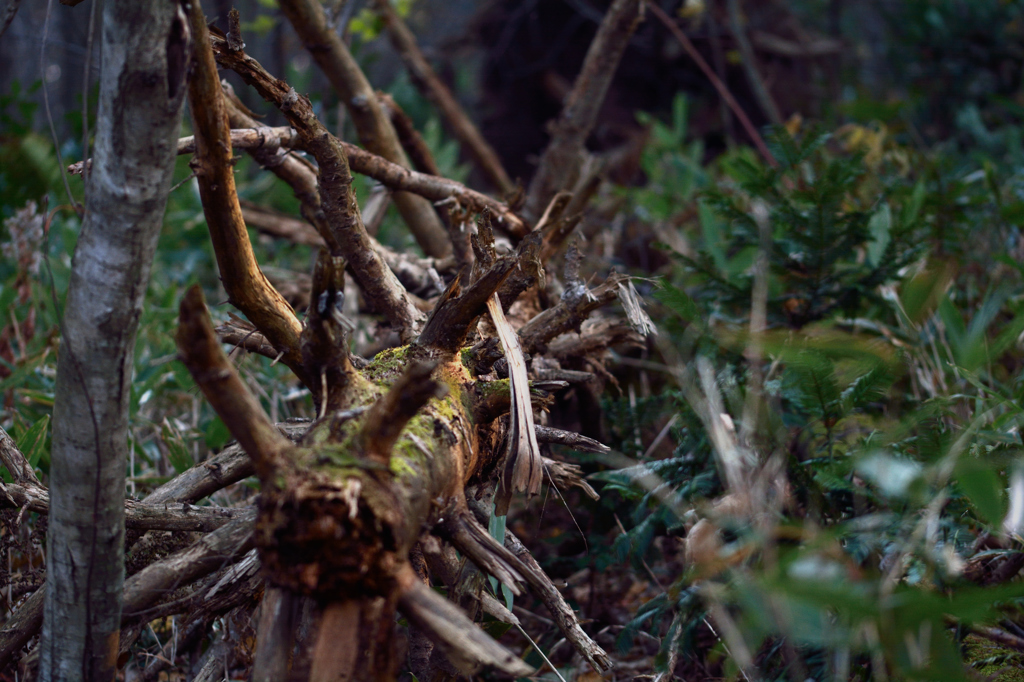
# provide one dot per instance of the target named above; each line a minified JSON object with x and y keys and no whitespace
{"x":890,"y":377}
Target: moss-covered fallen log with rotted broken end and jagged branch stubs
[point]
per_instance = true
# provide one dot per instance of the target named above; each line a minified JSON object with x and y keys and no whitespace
{"x":380,"y":478}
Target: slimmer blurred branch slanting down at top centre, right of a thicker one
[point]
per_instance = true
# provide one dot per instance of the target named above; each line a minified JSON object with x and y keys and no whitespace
{"x":433,"y":89}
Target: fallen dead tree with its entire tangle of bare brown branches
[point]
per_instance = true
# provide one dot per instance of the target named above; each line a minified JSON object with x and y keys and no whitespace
{"x":414,"y":452}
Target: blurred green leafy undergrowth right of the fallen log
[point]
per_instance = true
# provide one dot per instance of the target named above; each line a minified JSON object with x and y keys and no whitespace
{"x":889,"y":386}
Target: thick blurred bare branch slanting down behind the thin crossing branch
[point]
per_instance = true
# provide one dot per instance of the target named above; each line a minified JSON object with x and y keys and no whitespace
{"x":374,"y":129}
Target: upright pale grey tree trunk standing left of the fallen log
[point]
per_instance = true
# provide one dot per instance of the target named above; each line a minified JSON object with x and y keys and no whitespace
{"x":146,"y":54}
